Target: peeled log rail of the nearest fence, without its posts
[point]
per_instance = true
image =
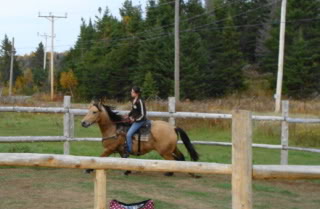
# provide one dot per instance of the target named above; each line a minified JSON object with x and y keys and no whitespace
{"x":81,"y":162}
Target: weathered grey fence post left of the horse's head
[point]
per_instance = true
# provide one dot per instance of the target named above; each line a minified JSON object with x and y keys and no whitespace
{"x":68,"y":127}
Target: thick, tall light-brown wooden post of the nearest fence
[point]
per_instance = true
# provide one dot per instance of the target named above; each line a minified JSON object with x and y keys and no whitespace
{"x":241,"y":160}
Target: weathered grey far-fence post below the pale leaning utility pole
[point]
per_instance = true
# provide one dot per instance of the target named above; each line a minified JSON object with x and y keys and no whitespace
{"x":284,"y":133}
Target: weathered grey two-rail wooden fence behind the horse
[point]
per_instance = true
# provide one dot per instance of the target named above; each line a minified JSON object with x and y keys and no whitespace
{"x":171,"y":114}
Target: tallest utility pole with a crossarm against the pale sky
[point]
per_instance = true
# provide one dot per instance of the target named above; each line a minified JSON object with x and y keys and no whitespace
{"x":52,"y":18}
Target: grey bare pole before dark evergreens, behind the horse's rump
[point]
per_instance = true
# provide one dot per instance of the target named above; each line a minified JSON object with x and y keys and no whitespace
{"x":177,"y":52}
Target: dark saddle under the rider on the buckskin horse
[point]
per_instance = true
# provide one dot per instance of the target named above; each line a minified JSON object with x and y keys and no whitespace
{"x":142,"y":134}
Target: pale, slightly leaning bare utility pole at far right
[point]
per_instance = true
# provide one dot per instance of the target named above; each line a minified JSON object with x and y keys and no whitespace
{"x":281,"y":55}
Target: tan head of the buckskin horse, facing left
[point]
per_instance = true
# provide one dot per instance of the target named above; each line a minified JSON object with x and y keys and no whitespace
{"x":93,"y":115}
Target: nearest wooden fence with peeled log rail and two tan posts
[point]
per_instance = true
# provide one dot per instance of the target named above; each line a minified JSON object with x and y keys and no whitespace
{"x":241,"y":169}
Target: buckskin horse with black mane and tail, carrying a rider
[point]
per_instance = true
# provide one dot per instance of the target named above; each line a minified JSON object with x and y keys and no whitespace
{"x":163,"y":137}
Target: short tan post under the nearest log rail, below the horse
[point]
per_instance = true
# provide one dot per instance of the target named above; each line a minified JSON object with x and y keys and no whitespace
{"x":100,"y":190}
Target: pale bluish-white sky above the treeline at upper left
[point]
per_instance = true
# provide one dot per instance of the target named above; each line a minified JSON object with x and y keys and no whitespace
{"x":19,"y":19}
